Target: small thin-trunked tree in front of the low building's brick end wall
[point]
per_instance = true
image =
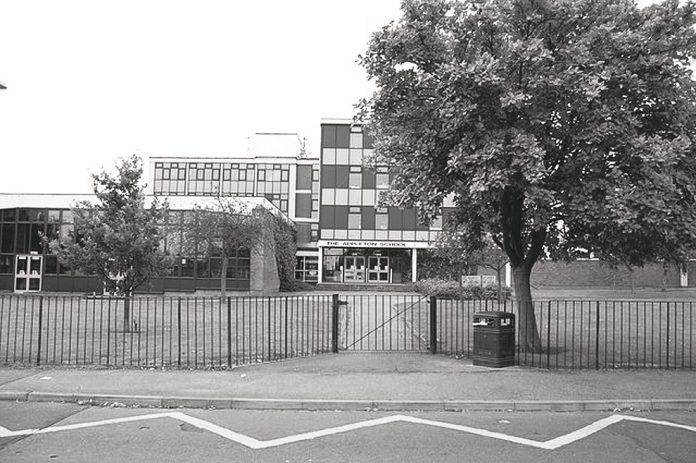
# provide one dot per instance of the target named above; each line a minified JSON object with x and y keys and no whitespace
{"x":223,"y":229}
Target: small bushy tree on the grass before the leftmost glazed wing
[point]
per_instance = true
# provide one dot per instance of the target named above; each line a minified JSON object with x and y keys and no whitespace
{"x":117,"y":238}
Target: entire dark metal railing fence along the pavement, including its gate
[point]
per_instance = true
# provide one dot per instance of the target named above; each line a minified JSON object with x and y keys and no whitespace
{"x":205,"y":332}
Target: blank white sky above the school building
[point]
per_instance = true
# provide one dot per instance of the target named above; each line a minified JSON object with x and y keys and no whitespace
{"x":91,"y":81}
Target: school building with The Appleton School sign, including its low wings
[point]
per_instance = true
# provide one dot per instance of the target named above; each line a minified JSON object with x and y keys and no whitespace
{"x":344,"y":235}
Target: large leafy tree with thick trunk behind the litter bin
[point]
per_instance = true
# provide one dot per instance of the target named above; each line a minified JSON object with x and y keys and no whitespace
{"x":555,"y":124}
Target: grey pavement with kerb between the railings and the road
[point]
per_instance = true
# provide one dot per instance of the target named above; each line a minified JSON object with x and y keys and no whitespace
{"x":360,"y":381}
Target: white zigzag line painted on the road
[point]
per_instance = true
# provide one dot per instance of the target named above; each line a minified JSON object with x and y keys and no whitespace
{"x":256,"y":444}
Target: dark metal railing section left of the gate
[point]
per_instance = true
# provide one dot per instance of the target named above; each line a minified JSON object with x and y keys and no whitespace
{"x":186,"y":332}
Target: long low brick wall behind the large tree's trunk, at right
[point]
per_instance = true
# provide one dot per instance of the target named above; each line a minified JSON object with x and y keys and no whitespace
{"x":599,"y":274}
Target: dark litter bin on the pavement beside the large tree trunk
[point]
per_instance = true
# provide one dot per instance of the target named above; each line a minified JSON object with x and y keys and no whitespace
{"x":494,"y":339}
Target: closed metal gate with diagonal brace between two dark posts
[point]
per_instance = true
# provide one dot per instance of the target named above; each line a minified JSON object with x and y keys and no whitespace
{"x":384,"y":323}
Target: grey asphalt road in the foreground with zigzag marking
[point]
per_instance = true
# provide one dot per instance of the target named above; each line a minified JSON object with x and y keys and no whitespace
{"x":79,"y":434}
